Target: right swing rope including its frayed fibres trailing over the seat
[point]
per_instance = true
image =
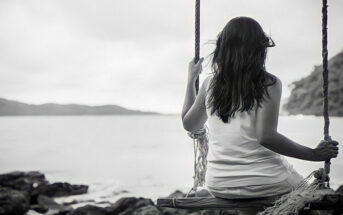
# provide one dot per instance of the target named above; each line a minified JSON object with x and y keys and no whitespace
{"x":305,"y":192}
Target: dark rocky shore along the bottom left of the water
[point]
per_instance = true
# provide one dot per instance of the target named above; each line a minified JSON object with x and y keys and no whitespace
{"x":30,"y":193}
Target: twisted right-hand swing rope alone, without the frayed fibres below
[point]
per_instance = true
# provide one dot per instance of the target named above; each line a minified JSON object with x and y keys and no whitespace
{"x":325,"y":84}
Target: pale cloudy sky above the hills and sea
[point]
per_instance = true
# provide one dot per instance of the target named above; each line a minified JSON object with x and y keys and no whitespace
{"x":135,"y":53}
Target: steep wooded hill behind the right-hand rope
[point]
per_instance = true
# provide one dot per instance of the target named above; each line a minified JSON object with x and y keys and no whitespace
{"x":306,"y":96}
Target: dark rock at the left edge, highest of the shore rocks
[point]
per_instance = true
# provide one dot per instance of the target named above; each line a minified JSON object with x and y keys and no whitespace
{"x":24,"y":181}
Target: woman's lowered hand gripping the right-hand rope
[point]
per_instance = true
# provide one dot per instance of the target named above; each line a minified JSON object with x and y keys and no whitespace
{"x":325,"y":150}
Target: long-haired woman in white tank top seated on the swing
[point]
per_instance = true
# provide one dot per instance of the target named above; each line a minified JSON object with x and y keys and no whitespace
{"x":240,"y":103}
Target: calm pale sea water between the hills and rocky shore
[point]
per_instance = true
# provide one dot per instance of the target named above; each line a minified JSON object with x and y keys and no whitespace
{"x":149,"y":156}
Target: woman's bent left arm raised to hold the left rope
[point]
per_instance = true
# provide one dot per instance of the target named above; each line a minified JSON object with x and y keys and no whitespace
{"x":194,"y":109}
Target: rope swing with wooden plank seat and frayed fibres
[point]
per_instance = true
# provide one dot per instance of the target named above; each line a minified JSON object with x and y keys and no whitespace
{"x":323,"y":201}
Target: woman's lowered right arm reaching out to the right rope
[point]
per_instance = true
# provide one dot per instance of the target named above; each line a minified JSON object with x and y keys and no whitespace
{"x":269,"y":137}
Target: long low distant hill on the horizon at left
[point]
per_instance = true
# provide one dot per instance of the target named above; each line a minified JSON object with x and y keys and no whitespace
{"x":10,"y":107}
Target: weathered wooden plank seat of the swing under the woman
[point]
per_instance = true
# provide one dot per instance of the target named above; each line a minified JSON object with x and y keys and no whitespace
{"x":327,"y":202}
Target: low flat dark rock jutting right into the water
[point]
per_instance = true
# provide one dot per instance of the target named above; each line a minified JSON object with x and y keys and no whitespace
{"x":59,"y":189}
